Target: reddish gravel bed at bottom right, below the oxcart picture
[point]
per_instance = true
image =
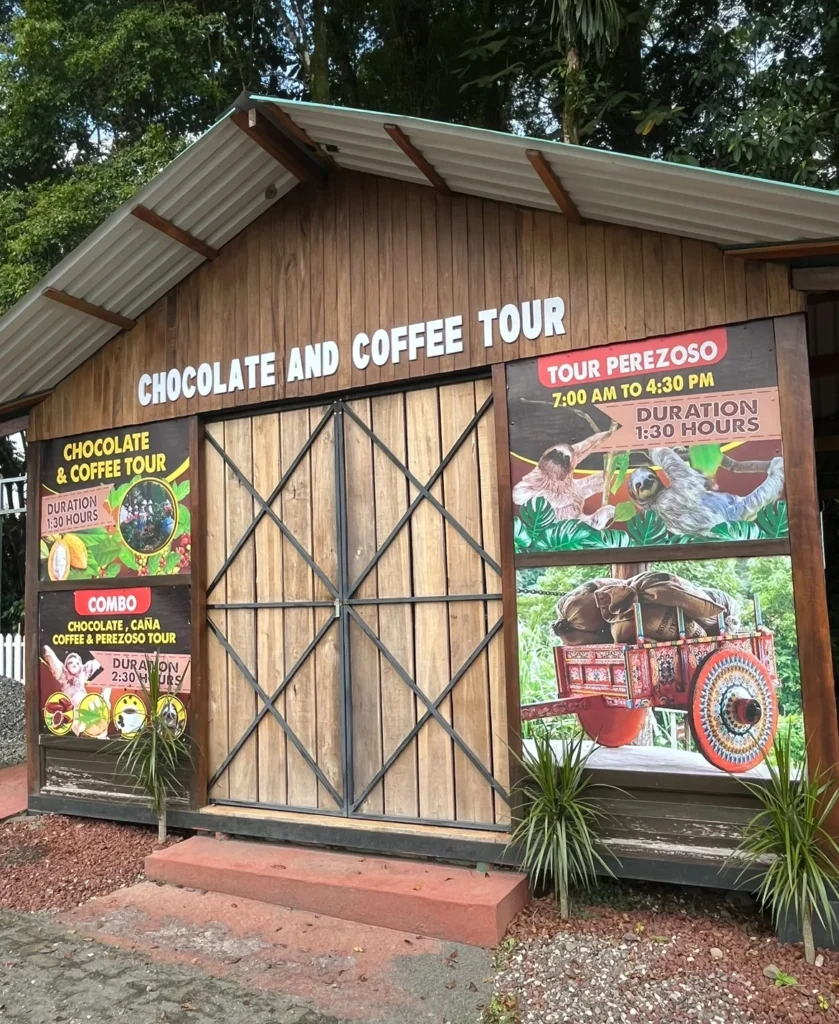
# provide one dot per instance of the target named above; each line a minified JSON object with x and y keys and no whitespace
{"x":670,"y":933}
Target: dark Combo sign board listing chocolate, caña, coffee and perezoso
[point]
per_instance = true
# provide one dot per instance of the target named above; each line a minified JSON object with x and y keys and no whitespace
{"x":94,"y":647}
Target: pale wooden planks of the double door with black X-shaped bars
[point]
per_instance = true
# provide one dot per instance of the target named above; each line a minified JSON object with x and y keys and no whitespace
{"x":432,"y":641}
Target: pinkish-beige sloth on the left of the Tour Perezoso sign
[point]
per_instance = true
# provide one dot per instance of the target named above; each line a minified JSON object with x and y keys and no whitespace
{"x":553,"y":479}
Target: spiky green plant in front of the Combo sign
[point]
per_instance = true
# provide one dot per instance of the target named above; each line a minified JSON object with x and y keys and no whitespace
{"x":156,"y":755}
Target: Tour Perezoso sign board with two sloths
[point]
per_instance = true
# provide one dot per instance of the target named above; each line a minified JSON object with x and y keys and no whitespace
{"x":666,"y":442}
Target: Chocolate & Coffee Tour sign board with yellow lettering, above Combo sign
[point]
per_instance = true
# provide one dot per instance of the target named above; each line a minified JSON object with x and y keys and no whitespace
{"x":116,"y":504}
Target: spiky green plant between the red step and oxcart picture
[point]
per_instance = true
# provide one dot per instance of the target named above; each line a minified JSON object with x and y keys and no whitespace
{"x":560,"y":834}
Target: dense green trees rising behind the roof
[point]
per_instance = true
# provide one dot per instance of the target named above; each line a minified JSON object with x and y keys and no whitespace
{"x":97,"y":96}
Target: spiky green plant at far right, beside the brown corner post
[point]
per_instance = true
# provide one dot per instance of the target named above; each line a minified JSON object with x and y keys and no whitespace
{"x":787,"y":848}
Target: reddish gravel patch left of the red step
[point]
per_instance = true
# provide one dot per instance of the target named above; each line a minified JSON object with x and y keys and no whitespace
{"x":54,"y":863}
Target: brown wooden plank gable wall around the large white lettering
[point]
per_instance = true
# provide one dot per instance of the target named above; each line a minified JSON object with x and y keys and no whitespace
{"x":368,"y":252}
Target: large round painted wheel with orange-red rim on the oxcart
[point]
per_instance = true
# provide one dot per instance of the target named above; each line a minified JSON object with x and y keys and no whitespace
{"x":734,"y":710}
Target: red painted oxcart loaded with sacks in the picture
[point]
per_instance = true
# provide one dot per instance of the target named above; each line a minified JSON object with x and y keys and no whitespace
{"x":722,"y":676}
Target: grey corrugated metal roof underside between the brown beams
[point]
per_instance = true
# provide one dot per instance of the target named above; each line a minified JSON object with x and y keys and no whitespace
{"x":218,"y":187}
